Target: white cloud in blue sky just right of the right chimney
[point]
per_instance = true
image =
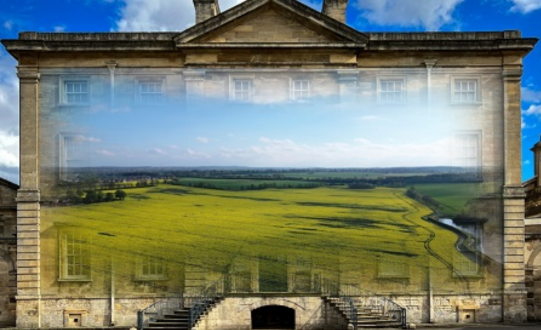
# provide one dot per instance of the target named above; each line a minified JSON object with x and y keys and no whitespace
{"x":428,"y":14}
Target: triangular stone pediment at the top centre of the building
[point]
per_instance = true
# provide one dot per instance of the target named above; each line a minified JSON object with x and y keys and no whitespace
{"x":271,"y":22}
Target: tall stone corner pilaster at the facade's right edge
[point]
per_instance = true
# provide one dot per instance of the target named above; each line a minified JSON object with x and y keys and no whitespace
{"x":514,"y":289}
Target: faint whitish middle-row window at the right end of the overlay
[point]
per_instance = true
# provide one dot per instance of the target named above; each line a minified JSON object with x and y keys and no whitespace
{"x":466,"y":151}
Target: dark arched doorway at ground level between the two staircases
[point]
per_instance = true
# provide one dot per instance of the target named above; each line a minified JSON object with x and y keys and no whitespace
{"x":273,"y":317}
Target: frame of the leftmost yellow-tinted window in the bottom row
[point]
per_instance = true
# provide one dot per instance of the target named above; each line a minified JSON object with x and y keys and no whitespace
{"x":84,"y":246}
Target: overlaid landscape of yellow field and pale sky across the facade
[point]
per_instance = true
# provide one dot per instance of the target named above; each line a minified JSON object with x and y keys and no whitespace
{"x":263,"y":182}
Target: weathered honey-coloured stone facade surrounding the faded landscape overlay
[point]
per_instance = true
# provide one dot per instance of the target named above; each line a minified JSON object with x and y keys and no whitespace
{"x":256,"y":51}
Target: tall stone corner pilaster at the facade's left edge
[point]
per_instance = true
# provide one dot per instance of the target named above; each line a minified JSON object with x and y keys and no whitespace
{"x":28,"y":197}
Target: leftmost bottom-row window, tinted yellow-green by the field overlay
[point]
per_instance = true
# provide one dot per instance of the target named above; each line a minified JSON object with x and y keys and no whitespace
{"x":74,"y":257}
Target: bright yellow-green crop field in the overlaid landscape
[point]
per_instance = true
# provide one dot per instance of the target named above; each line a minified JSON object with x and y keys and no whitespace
{"x":336,"y":228}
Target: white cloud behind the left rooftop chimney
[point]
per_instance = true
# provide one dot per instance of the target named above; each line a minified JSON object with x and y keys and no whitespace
{"x":160,"y":15}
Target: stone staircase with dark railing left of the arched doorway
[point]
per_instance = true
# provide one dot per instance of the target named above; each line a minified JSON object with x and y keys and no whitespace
{"x":180,"y":319}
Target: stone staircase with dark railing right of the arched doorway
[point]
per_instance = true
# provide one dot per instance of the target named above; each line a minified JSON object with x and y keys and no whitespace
{"x":368,"y":316}
